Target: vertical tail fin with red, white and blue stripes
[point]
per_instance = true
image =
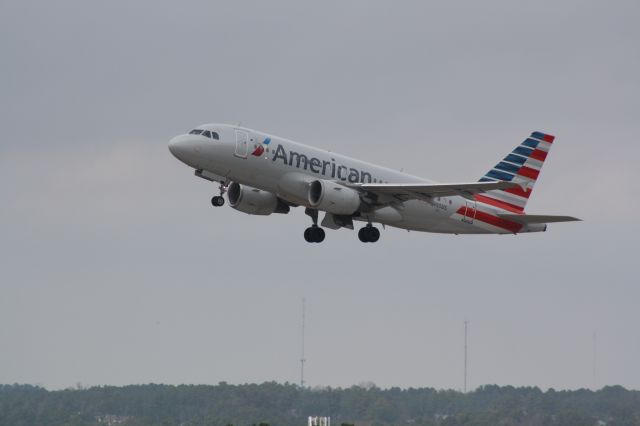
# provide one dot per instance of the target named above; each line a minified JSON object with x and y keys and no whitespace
{"x":523,"y":166}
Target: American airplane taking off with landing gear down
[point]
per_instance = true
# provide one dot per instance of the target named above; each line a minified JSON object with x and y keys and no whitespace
{"x":264,"y":174}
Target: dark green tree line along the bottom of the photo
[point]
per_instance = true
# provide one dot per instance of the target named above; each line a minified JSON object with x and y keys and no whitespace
{"x":287,"y":404}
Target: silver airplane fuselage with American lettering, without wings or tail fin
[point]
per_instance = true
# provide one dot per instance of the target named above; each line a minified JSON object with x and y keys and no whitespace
{"x":285,"y":168}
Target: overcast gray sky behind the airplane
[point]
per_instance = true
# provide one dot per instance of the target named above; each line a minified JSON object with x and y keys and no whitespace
{"x":116,"y":270}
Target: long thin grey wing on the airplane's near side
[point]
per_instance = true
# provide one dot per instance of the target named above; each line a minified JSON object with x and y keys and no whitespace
{"x":426,"y":191}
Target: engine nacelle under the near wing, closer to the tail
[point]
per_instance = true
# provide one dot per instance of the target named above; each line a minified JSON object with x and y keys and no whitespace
{"x":333,"y":198}
